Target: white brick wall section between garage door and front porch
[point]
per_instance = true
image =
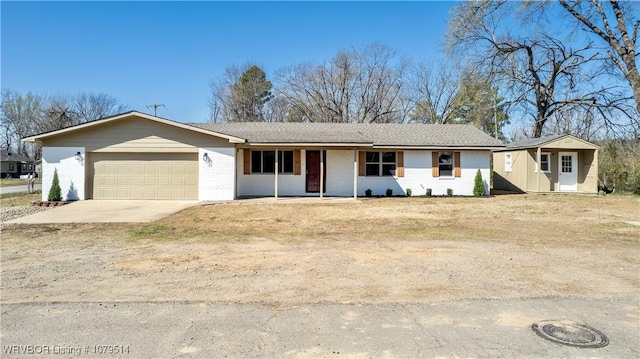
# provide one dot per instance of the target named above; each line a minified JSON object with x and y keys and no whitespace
{"x":216,"y":180}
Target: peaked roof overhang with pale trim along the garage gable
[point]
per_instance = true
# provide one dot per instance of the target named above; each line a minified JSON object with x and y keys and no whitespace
{"x":42,"y":136}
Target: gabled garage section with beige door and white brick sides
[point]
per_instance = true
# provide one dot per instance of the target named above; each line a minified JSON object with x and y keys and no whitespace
{"x":135,"y":156}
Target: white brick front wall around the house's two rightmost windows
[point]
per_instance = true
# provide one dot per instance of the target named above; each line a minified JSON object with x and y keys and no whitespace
{"x":417,"y":176}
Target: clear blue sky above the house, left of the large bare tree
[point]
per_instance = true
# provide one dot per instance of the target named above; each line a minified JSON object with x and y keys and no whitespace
{"x":167,"y":52}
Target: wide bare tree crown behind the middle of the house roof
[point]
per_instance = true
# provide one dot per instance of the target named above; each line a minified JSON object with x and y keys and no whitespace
{"x":359,"y":86}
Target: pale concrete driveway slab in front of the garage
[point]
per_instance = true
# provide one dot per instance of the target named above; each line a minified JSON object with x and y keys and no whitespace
{"x":93,"y":211}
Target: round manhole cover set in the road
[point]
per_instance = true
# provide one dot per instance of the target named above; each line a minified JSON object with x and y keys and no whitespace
{"x":569,"y":333}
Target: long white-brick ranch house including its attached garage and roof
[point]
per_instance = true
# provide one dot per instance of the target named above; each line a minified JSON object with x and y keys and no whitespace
{"x":139,"y":156}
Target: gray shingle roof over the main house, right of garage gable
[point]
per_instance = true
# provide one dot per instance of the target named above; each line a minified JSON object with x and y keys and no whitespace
{"x":402,"y":135}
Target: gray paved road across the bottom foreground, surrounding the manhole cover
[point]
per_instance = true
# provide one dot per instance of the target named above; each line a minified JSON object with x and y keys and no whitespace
{"x":480,"y":328}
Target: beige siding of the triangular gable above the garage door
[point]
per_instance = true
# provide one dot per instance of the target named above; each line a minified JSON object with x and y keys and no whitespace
{"x":136,"y":135}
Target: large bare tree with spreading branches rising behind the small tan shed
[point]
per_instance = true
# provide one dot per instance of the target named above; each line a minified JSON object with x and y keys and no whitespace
{"x":541,"y":73}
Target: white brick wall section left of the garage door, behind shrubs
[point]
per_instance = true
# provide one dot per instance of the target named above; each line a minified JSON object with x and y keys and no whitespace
{"x":71,"y":171}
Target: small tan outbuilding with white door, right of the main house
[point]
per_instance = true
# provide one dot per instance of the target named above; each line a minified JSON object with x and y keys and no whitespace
{"x":559,"y":163}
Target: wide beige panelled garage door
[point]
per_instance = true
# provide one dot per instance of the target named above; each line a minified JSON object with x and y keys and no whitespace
{"x":145,"y":175}
